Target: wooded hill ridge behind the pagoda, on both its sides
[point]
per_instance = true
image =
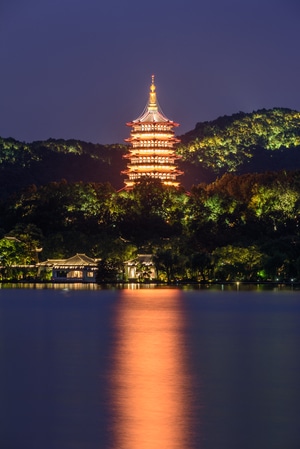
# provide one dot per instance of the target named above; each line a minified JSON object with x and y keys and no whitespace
{"x":255,"y":142}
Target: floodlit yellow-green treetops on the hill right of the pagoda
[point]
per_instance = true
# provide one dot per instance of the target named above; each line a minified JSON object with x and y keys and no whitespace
{"x":229,"y":142}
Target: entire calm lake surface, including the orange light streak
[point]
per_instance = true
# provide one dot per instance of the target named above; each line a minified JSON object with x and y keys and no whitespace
{"x":149,"y":368}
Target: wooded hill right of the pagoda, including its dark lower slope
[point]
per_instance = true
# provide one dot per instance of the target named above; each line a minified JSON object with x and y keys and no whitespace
{"x":242,"y":143}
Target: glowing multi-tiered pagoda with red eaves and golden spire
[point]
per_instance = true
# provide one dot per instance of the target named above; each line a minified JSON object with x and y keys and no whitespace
{"x":152,"y":140}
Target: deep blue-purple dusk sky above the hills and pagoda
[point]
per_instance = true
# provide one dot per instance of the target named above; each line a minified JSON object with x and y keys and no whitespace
{"x":82,"y":68}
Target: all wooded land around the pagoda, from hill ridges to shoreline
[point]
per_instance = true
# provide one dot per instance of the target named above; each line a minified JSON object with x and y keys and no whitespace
{"x":236,"y":217}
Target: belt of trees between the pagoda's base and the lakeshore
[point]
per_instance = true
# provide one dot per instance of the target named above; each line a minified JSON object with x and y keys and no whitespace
{"x":240,"y":227}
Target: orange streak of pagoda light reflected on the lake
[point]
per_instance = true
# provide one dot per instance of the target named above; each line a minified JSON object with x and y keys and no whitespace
{"x":149,"y":380}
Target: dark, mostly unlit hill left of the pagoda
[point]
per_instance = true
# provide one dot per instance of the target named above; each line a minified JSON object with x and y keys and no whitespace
{"x":40,"y":162}
